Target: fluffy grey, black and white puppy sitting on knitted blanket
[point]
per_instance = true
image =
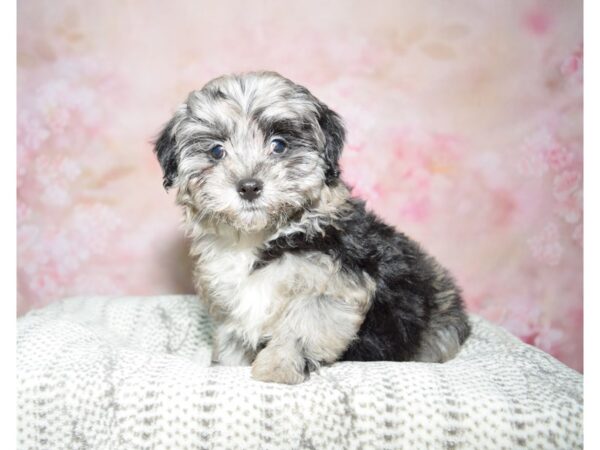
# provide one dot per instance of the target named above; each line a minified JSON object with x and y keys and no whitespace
{"x":295,"y":272}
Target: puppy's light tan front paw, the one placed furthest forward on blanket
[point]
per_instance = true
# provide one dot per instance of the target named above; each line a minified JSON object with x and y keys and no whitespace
{"x":278,"y":366}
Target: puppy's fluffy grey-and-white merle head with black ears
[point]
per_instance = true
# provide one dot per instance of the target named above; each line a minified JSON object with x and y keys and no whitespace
{"x":250,"y":150}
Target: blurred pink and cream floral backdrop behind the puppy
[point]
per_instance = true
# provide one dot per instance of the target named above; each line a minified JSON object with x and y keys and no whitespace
{"x":464,"y":120}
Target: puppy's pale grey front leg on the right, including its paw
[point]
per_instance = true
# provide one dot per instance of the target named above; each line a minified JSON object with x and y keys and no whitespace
{"x":315,"y":330}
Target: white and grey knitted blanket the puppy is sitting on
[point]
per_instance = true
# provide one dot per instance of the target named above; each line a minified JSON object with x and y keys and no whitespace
{"x":133,"y":373}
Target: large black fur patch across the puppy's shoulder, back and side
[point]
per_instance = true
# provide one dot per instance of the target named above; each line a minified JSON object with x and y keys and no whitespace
{"x":406,"y":281}
